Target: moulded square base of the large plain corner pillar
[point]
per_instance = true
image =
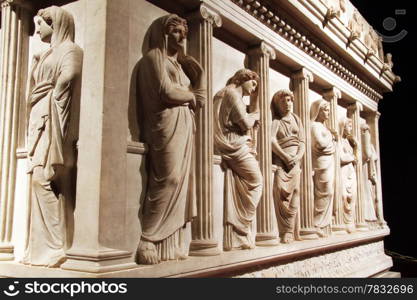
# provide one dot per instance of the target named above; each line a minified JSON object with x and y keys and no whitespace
{"x":98,"y":261}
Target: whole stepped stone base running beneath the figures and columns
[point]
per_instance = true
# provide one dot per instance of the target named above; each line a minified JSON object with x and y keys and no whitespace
{"x":354,"y":255}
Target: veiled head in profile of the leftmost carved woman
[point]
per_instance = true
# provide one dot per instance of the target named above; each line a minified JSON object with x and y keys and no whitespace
{"x":54,"y":25}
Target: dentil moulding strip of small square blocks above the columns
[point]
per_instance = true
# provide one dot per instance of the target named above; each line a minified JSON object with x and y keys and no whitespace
{"x":275,"y":22}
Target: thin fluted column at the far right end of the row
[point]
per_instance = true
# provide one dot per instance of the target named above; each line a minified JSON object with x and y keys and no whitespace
{"x":373,"y":121}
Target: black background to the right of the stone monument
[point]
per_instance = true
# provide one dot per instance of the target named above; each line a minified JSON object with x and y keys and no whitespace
{"x":397,"y":125}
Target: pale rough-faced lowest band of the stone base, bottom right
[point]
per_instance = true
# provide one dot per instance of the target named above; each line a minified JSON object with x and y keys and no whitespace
{"x":361,"y":261}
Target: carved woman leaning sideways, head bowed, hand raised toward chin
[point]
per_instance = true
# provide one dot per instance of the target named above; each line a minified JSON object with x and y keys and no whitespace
{"x":243,"y":182}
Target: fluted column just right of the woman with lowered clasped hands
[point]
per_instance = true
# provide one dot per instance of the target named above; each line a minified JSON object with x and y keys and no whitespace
{"x":300,"y":82}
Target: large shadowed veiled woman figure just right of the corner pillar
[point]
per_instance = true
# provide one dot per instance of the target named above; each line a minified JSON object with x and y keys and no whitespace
{"x":170,"y":89}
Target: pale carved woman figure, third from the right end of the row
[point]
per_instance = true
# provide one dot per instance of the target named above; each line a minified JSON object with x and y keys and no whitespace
{"x":323,"y":149}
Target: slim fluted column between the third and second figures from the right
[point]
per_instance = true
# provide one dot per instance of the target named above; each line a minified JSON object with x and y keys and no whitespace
{"x":338,"y":226}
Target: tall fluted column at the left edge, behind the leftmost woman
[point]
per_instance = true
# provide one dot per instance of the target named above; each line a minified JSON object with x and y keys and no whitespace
{"x":14,"y":43}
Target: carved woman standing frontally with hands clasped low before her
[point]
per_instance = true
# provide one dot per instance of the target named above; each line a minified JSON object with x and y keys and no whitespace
{"x":288,"y":149}
